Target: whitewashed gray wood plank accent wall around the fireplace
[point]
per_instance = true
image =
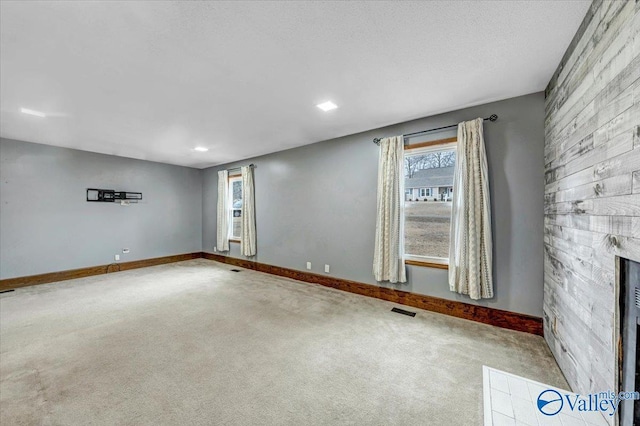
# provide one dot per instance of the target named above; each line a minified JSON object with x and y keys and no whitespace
{"x":592,"y":190}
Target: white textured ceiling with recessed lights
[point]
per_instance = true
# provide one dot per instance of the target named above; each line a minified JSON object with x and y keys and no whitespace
{"x":153,"y":80}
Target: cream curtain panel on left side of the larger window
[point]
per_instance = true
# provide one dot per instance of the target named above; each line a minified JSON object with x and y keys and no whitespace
{"x":388,"y":260}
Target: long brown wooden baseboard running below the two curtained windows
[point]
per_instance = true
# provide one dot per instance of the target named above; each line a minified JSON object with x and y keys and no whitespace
{"x":483,"y":314}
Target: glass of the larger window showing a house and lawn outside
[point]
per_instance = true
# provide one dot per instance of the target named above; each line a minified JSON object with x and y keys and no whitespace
{"x":427,"y":219}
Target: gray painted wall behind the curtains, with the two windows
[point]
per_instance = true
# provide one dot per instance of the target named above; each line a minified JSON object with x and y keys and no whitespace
{"x":317,"y":203}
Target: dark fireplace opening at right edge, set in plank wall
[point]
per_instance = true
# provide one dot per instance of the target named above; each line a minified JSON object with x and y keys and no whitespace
{"x":629,"y":347}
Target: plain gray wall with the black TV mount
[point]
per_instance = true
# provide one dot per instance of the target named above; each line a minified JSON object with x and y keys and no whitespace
{"x":46,"y":225}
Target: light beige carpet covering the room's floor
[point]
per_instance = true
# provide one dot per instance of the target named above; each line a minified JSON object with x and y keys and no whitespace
{"x":194,"y":343}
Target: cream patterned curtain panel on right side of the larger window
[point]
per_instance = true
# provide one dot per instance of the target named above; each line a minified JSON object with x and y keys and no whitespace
{"x":470,"y":250}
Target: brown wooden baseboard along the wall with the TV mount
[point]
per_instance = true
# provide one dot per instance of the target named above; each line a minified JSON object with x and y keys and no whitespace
{"x":71,"y":274}
